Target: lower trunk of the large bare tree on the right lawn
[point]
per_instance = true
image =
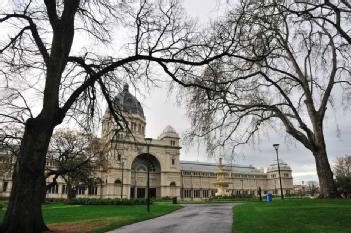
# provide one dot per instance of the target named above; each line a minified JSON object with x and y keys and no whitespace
{"x":325,"y":175}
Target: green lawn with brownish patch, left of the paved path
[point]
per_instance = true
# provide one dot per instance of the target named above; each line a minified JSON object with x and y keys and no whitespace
{"x":77,"y":218}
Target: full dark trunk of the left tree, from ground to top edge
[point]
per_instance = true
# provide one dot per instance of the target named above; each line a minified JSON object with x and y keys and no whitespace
{"x":24,"y":214}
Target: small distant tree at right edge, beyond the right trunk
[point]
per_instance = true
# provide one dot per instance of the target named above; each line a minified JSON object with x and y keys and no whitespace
{"x":342,"y":171}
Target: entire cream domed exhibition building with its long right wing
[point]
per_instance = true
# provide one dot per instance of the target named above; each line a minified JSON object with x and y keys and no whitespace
{"x":132,"y":159}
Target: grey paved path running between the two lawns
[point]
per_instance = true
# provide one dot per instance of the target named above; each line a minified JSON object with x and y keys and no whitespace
{"x":216,"y":218}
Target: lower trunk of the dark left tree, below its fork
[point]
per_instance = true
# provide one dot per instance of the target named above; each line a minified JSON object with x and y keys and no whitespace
{"x":24,"y":213}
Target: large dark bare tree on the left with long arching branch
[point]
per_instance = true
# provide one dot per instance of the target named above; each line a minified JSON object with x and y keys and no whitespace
{"x":44,"y":79}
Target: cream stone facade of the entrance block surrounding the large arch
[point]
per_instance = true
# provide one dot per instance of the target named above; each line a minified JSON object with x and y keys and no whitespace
{"x":161,"y":150}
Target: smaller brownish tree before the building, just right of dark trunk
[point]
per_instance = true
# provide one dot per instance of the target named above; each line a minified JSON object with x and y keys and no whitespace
{"x":75,"y":157}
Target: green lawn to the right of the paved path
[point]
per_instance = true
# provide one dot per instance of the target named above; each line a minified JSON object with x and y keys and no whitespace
{"x":294,"y":216}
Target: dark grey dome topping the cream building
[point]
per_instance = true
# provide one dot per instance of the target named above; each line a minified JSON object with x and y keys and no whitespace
{"x":128,"y":103}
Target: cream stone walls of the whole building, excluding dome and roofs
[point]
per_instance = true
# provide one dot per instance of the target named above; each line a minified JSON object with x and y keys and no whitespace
{"x":164,"y":152}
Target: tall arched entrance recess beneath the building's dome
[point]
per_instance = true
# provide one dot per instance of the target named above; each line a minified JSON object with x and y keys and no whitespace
{"x":139,"y":176}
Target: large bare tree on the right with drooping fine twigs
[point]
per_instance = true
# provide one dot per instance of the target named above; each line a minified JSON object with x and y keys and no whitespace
{"x":283,"y":74}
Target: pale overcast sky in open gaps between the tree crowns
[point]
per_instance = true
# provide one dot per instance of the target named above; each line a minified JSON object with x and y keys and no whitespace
{"x":161,"y":110}
